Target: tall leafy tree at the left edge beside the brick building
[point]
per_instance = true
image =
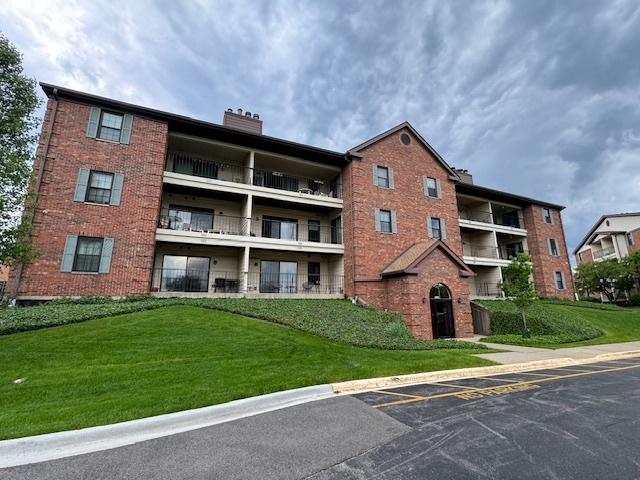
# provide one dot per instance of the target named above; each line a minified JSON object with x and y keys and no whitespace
{"x":18,"y":136}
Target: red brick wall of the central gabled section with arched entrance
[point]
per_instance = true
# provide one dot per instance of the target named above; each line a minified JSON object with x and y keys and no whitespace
{"x":367,"y":251}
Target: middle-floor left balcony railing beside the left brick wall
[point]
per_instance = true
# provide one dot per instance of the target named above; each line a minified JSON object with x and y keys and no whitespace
{"x":202,"y":221}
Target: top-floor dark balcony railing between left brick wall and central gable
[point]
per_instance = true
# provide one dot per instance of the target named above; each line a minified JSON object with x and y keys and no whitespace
{"x":199,"y":167}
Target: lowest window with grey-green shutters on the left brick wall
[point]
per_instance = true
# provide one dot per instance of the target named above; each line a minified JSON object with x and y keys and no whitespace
{"x":87,"y":254}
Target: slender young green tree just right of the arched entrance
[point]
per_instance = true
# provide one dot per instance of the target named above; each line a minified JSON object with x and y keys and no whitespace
{"x":517,"y":285}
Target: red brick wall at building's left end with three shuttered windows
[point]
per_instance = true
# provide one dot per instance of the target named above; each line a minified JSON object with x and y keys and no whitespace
{"x":132,"y":224}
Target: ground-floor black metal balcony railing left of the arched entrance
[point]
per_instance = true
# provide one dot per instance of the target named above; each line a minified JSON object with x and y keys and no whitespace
{"x":215,"y":281}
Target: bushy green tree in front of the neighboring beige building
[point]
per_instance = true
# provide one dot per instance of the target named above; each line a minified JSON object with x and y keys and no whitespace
{"x":609,"y":277}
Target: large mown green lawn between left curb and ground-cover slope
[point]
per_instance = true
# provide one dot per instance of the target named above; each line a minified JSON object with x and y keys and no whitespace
{"x":175,"y":358}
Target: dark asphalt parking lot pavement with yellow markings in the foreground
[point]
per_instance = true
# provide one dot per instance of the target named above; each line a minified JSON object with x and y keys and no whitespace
{"x":579,"y":421}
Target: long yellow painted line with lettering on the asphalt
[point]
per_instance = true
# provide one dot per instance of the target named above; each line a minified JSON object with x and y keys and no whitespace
{"x":499,"y":390}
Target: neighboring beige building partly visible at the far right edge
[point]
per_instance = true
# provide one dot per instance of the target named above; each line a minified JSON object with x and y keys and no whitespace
{"x":613,"y":236}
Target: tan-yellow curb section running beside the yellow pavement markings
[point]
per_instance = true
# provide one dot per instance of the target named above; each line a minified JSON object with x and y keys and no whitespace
{"x":357,"y":386}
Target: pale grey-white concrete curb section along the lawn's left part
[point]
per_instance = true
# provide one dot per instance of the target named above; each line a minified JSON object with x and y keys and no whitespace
{"x":51,"y":446}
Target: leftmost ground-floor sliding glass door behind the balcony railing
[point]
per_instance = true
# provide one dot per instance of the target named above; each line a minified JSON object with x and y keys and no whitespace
{"x":182,"y":273}
